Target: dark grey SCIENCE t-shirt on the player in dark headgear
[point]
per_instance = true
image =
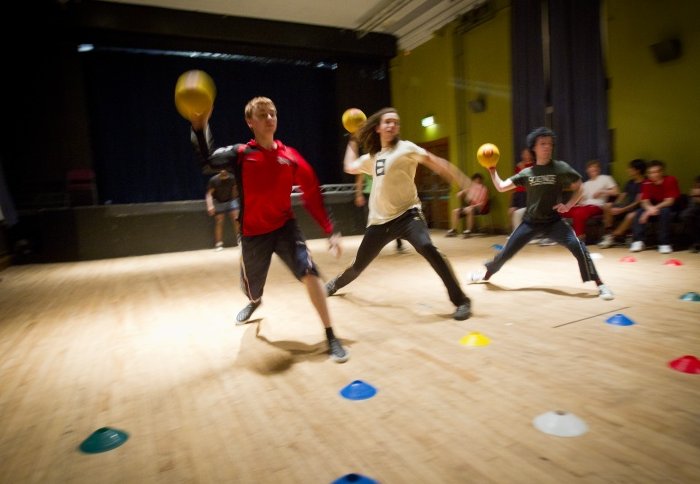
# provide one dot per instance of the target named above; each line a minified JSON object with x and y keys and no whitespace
{"x":544,"y":185}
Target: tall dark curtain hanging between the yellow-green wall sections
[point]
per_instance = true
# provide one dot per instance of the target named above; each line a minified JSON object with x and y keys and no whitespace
{"x":559,"y":81}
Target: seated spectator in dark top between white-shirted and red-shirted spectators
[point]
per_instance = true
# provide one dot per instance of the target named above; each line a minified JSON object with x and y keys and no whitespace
{"x":625,"y":206}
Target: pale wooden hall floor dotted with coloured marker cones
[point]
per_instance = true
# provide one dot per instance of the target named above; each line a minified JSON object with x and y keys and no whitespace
{"x":148,"y":345}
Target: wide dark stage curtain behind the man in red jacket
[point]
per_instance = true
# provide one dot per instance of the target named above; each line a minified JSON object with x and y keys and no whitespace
{"x":141,"y":147}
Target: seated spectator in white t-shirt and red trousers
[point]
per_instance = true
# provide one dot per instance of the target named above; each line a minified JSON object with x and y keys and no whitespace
{"x":596,"y":191}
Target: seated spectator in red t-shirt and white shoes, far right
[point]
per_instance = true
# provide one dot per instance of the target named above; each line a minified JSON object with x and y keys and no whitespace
{"x":659,"y":193}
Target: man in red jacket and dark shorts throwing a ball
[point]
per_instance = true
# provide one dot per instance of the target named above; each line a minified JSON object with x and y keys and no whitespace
{"x":266,"y":170}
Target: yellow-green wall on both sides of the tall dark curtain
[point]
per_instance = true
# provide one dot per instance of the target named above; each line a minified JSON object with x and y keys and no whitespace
{"x":654,"y":109}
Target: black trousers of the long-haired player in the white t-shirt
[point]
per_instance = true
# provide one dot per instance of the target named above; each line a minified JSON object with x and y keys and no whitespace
{"x":410,"y":226}
